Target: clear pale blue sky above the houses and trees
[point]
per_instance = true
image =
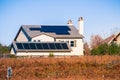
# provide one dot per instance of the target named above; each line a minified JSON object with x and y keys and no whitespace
{"x":100,"y":16}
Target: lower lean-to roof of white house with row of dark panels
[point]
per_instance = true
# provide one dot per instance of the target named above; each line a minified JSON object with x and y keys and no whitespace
{"x":41,"y":46}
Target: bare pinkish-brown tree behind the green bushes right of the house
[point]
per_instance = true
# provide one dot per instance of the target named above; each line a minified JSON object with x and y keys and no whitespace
{"x":96,"y":40}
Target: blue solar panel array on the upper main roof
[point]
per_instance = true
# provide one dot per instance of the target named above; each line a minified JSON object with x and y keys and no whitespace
{"x":59,"y":30}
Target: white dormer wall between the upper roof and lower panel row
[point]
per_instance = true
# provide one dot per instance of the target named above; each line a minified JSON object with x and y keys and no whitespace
{"x":43,"y":38}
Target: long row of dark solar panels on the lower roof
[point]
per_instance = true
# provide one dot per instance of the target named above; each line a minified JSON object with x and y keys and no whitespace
{"x":42,"y":46}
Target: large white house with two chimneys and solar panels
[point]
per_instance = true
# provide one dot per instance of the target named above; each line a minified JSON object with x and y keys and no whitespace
{"x":42,"y":40}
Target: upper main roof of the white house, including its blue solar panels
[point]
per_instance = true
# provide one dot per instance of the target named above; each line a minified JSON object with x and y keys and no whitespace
{"x":56,"y":31}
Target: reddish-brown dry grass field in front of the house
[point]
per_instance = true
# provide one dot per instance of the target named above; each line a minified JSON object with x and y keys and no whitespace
{"x":66,"y":68}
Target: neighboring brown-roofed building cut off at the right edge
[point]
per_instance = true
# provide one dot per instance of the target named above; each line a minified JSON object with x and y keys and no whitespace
{"x":113,"y":39}
